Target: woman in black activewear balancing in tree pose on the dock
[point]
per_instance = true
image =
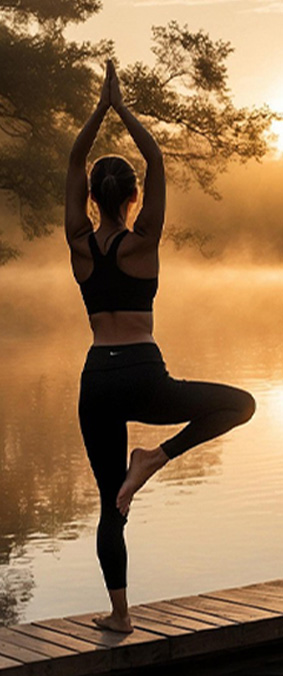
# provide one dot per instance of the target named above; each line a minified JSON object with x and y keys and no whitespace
{"x":124,"y":376}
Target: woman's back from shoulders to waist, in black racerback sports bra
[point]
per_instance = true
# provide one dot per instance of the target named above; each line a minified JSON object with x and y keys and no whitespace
{"x":118,"y":283}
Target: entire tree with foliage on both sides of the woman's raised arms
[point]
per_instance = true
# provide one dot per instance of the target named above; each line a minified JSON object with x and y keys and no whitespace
{"x":184,"y":99}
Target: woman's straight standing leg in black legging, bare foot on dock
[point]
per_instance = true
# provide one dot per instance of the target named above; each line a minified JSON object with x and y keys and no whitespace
{"x":105,"y":438}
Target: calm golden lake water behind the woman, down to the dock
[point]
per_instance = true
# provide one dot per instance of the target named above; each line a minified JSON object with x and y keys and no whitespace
{"x":210,"y":519}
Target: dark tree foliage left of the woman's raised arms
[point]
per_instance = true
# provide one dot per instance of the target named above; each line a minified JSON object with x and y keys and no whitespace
{"x":44,"y":92}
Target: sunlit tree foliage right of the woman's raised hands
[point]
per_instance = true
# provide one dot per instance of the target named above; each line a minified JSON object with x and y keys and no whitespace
{"x":187,"y":90}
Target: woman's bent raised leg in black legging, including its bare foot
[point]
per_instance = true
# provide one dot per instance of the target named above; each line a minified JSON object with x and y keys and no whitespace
{"x":211,"y":409}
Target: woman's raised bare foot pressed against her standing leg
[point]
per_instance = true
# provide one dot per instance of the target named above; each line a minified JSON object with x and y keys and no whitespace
{"x":143,"y":464}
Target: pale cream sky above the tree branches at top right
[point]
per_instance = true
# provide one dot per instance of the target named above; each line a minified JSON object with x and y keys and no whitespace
{"x":254,"y":28}
